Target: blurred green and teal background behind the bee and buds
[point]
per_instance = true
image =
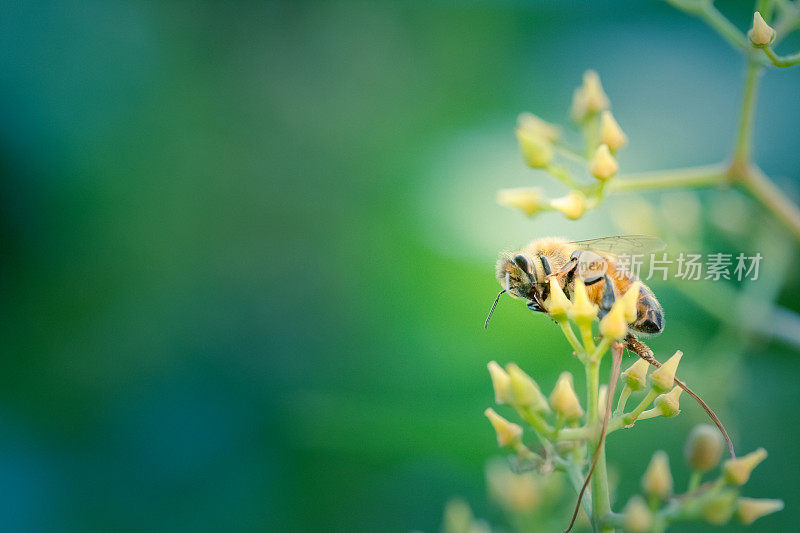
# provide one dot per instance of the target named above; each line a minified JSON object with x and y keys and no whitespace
{"x":247,"y":250}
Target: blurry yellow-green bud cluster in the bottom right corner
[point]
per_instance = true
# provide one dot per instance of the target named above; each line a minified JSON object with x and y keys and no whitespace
{"x":715,"y":502}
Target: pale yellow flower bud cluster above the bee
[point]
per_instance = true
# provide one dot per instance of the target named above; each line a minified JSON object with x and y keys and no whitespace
{"x":541,"y":143}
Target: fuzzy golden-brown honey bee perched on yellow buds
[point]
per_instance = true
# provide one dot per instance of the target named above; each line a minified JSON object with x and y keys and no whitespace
{"x":526,"y":274}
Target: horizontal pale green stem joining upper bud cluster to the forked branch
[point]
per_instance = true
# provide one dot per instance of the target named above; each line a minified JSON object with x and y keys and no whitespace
{"x":691,"y":177}
